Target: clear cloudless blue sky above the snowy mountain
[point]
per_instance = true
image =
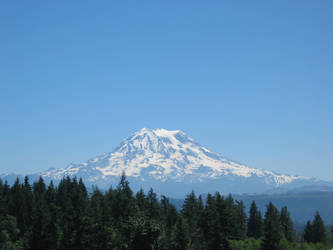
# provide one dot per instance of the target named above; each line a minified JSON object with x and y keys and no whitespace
{"x":252,"y":80}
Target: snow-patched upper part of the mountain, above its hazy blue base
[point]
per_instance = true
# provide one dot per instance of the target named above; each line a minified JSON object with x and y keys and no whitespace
{"x":166,"y":155}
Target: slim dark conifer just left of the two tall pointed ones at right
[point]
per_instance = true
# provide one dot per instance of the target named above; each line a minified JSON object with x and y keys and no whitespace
{"x":254,"y":226}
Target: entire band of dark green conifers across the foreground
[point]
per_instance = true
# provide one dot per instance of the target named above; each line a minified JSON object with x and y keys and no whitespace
{"x":66,"y":216}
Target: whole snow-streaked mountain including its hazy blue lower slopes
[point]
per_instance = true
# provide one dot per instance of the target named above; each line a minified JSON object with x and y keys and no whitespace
{"x":173,"y":164}
